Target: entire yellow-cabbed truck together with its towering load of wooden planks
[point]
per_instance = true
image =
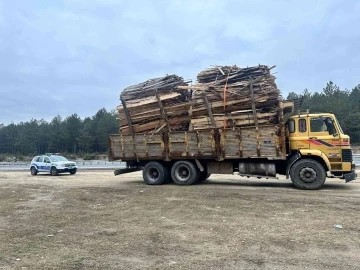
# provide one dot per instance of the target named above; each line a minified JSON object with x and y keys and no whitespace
{"x":233,"y":137}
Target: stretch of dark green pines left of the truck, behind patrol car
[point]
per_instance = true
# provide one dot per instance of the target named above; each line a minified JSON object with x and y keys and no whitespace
{"x":69,"y":135}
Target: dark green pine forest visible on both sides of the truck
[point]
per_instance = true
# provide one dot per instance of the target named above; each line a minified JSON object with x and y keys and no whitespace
{"x":89,"y":135}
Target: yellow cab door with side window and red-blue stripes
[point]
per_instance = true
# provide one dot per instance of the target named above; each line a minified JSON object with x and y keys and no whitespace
{"x":324,"y":136}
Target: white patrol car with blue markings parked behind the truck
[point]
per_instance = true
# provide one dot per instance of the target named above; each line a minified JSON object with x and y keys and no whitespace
{"x":53,"y":164}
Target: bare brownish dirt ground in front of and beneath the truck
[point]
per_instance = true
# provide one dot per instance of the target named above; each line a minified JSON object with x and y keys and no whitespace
{"x":94,"y":220}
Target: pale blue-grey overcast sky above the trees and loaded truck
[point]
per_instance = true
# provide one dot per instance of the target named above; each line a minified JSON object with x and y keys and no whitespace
{"x":76,"y":56}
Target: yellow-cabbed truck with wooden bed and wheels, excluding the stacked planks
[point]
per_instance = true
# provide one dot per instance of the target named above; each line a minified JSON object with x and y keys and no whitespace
{"x":306,"y":148}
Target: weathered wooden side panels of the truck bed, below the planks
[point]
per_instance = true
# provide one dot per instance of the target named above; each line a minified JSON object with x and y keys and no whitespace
{"x":266,"y":141}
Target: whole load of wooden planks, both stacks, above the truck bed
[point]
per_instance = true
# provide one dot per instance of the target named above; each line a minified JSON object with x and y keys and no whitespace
{"x":226,"y":97}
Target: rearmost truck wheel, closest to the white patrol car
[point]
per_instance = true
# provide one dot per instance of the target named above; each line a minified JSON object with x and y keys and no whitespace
{"x":154,"y":173}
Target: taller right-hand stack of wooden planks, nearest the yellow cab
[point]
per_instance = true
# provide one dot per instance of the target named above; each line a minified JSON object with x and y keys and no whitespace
{"x":233,"y":94}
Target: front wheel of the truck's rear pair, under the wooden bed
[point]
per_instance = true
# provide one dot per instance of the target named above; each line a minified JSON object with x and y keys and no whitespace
{"x":184,"y":173}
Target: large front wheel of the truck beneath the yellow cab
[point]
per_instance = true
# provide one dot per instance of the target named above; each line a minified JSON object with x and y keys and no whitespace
{"x":308,"y":174}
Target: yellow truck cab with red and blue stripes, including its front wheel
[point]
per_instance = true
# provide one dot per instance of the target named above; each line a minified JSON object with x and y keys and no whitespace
{"x":319,"y":139}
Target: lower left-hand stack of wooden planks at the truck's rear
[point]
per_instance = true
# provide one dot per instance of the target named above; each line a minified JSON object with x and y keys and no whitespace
{"x":155,"y":105}
